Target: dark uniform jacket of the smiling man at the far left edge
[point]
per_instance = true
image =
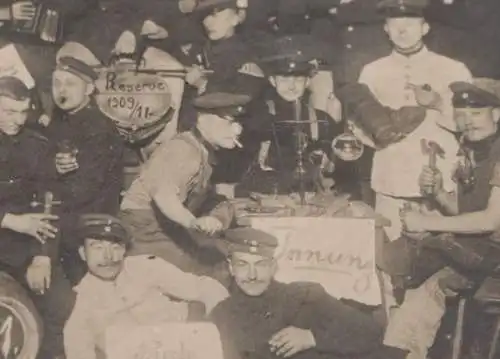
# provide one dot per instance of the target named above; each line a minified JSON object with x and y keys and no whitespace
{"x":26,"y":170}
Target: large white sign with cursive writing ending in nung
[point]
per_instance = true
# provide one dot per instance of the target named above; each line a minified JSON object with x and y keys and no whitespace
{"x":338,"y":253}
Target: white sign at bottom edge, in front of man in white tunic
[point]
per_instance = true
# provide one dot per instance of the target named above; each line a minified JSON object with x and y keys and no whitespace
{"x":164,"y":341}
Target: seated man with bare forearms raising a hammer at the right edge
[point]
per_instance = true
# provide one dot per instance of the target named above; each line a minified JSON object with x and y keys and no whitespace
{"x":473,"y":216}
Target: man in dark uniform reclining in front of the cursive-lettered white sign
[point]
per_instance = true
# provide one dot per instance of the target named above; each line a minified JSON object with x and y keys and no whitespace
{"x":263,"y":318}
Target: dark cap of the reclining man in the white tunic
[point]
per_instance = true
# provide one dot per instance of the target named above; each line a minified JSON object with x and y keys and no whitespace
{"x":102,"y":227}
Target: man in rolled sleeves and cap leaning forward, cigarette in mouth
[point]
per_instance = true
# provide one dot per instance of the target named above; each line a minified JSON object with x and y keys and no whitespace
{"x":173,"y":194}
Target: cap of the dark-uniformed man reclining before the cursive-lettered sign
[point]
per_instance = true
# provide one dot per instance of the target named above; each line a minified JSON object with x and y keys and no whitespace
{"x":247,"y":240}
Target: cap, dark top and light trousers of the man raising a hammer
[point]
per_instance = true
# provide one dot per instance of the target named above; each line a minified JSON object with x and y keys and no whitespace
{"x":420,"y":314}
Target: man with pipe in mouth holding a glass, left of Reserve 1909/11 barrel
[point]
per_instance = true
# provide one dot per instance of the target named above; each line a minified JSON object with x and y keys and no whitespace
{"x":88,"y":151}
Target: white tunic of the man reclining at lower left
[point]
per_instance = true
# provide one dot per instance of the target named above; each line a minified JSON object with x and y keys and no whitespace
{"x":140,"y":295}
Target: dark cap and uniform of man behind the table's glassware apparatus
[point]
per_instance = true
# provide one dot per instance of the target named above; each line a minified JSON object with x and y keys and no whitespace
{"x":289,"y":56}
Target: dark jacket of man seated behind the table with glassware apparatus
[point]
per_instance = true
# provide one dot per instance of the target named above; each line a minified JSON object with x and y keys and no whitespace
{"x":273,"y":124}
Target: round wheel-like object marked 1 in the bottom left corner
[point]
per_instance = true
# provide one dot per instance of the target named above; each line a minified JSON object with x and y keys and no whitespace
{"x":20,"y":325}
